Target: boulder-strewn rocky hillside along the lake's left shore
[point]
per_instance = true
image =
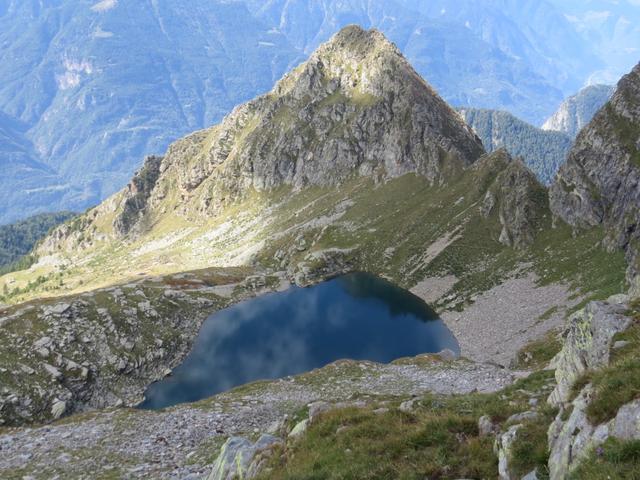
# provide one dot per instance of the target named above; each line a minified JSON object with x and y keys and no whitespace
{"x":103,"y":349}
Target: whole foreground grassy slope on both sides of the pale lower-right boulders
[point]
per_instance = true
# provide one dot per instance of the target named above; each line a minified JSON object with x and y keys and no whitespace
{"x":440,"y":438}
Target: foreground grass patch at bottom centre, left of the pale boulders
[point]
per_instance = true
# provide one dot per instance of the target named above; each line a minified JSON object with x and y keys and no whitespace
{"x":439,"y":438}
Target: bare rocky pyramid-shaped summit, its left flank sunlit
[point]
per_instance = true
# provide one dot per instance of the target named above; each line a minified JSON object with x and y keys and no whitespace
{"x":356,"y":107}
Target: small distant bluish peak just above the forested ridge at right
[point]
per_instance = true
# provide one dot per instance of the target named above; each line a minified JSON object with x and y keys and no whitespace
{"x":578,"y":110}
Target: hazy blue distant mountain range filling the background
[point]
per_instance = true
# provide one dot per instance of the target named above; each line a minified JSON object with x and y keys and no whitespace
{"x":88,"y":88}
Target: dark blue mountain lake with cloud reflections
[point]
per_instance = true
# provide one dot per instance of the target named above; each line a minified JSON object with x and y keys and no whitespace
{"x":358,"y":316}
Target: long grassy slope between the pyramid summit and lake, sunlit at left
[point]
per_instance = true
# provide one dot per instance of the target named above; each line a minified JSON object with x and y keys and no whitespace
{"x":386,"y":228}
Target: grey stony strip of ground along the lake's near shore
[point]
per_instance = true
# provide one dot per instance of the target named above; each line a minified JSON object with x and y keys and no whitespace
{"x":182,"y":442}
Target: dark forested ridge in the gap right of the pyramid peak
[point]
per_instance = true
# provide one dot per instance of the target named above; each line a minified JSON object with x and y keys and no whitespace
{"x":543,"y":152}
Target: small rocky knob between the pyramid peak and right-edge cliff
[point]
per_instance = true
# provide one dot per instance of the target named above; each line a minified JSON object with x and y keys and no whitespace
{"x":516,"y":197}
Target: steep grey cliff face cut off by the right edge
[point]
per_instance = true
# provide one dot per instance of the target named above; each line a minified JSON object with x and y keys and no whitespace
{"x":599,"y":184}
